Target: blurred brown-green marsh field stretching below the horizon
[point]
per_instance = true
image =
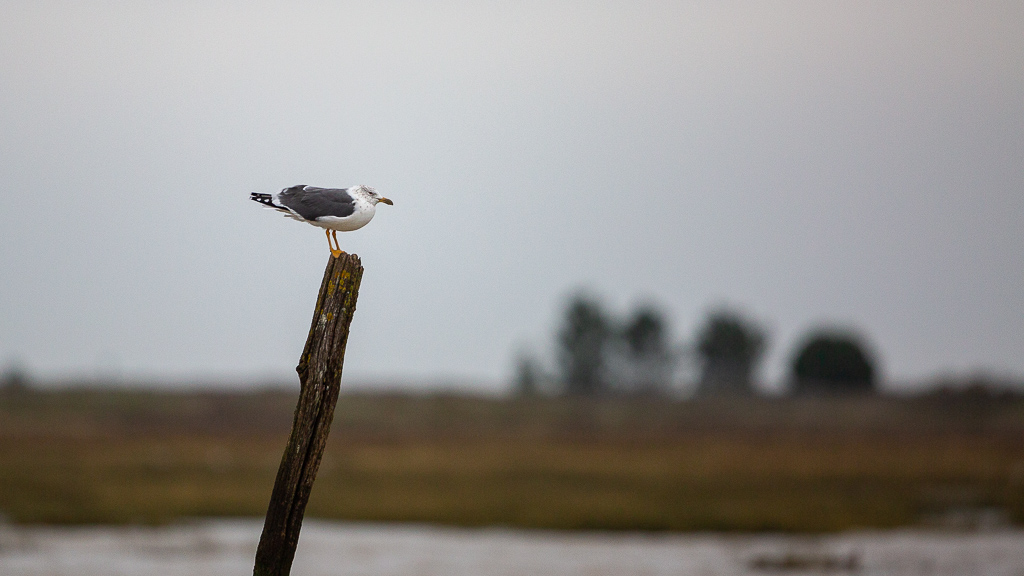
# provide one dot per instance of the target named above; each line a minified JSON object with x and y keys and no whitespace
{"x":809,"y":465}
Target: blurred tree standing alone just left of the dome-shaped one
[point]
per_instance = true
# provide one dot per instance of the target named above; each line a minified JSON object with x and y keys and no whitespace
{"x":729,"y":349}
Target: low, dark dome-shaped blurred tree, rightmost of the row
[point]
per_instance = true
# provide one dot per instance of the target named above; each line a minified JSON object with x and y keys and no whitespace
{"x":833,"y":362}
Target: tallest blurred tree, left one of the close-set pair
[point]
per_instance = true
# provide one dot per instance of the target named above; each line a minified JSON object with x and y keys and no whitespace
{"x":583,"y":344}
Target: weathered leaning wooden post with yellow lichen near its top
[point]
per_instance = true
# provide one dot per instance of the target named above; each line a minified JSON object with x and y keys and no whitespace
{"x":320,"y":376}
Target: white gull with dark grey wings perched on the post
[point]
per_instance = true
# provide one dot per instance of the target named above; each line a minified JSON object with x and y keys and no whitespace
{"x":334,"y":210}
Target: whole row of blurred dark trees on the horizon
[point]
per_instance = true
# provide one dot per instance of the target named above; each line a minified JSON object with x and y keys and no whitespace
{"x":600,"y":354}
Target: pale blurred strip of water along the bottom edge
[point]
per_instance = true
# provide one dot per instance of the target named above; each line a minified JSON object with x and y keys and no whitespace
{"x":227,"y":548}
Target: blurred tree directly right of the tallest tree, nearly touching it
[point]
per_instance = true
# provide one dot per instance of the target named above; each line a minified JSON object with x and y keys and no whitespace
{"x":650,"y":361}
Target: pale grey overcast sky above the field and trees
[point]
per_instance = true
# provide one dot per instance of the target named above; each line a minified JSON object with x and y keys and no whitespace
{"x":859,"y":164}
